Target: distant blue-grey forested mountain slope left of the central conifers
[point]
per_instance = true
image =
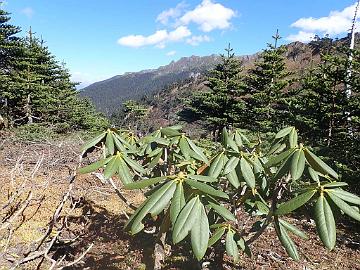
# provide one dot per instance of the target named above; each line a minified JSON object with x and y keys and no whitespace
{"x":108,"y":95}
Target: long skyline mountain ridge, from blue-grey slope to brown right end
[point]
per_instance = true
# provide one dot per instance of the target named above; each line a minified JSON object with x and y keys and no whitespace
{"x":108,"y":95}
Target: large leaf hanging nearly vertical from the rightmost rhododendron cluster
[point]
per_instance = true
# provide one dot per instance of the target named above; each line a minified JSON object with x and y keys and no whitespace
{"x":325,"y":222}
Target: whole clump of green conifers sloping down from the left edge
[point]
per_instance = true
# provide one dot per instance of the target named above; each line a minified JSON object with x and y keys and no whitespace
{"x":36,"y":88}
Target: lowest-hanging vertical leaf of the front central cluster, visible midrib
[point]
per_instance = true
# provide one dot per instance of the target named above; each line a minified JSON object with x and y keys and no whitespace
{"x":200,"y":234}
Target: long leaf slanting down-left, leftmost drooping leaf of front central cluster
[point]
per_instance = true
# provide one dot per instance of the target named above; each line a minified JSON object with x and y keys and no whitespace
{"x":156,"y":198}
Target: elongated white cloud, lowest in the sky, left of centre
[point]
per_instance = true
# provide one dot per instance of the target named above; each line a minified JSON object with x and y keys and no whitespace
{"x":159,"y":38}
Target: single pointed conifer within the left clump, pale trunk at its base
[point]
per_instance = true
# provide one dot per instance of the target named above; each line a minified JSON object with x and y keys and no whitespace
{"x":30,"y":81}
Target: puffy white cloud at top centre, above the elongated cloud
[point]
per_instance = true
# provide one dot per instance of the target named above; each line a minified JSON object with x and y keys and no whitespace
{"x":209,"y":16}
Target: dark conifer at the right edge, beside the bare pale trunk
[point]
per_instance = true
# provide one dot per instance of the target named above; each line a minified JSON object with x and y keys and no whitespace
{"x":322,"y":108}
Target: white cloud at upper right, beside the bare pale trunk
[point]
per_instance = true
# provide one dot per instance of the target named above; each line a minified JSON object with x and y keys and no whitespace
{"x":337,"y":22}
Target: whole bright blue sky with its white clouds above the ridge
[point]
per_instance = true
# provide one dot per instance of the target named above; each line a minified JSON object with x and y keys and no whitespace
{"x":100,"y":39}
